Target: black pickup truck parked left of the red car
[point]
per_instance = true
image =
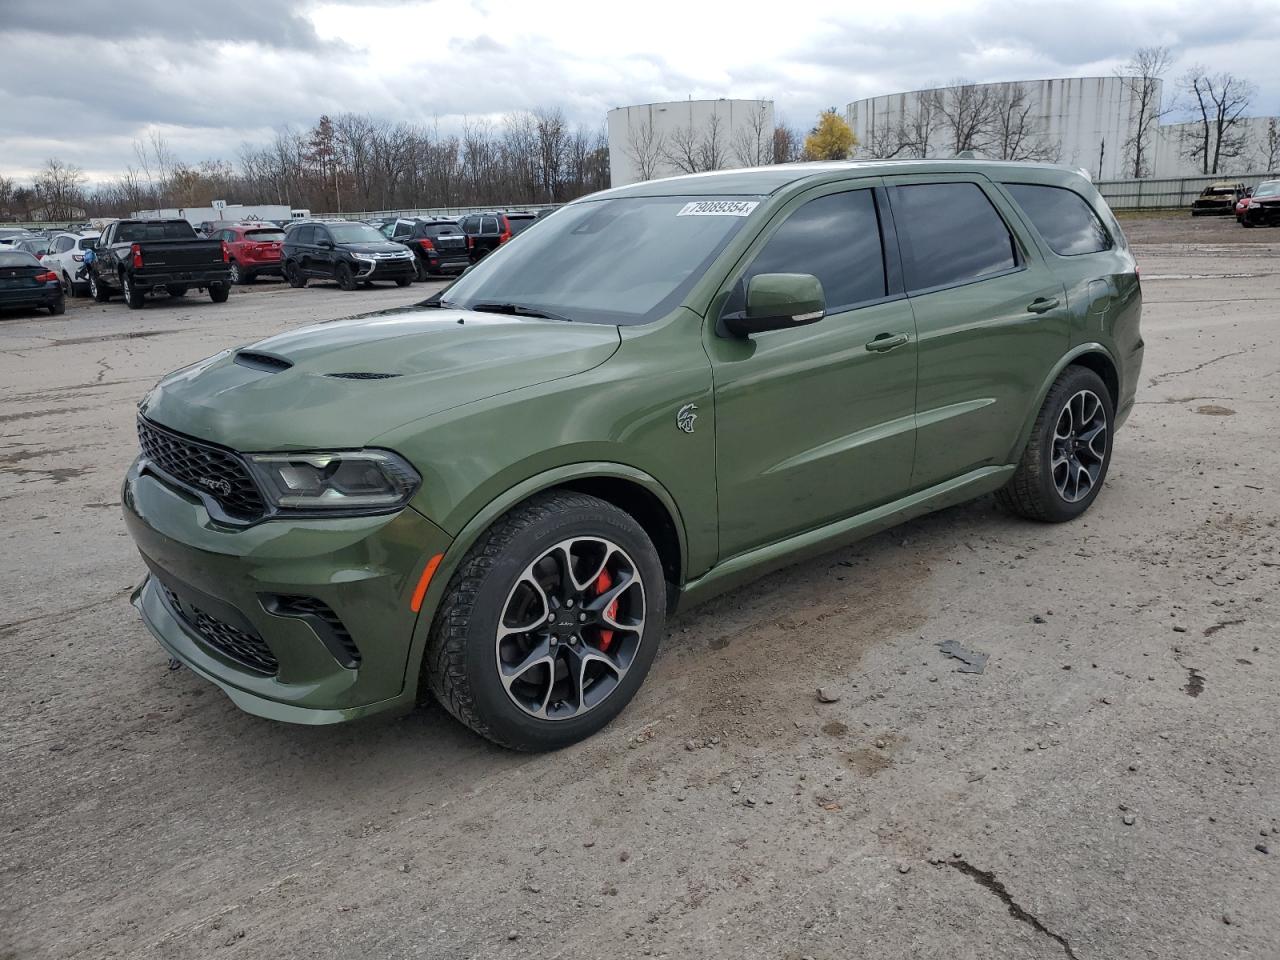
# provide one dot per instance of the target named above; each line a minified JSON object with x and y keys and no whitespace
{"x":139,"y":258}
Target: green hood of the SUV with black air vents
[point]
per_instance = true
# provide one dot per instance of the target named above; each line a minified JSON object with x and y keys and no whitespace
{"x":286,"y":394}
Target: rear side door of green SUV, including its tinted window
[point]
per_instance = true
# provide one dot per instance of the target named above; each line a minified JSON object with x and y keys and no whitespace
{"x":991,"y":317}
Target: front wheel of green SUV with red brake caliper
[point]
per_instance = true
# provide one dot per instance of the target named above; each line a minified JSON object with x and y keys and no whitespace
{"x":461,"y":664}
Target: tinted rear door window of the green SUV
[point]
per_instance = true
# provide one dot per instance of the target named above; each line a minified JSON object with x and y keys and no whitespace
{"x":950,"y":234}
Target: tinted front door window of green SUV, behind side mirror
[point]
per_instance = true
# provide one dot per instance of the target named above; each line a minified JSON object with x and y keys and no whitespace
{"x":838,"y":240}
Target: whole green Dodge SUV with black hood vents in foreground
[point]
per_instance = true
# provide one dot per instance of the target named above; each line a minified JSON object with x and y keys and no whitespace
{"x":655,"y":395}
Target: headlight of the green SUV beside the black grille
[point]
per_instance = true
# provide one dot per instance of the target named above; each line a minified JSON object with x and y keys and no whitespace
{"x":355,"y":481}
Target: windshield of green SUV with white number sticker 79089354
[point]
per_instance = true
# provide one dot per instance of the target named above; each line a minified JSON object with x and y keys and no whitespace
{"x":610,"y":262}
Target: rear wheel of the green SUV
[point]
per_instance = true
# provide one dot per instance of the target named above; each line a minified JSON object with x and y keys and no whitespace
{"x":1037,"y":490}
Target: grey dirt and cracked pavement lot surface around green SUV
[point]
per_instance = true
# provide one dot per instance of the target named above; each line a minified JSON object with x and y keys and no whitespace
{"x":1109,"y":788}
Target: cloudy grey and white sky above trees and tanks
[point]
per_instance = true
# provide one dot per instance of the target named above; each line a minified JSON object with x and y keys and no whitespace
{"x":83,"y":80}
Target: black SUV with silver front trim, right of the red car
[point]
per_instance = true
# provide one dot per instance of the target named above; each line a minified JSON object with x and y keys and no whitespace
{"x":348,"y":253}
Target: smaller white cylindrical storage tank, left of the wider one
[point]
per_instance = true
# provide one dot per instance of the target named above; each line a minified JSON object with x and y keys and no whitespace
{"x":687,"y":136}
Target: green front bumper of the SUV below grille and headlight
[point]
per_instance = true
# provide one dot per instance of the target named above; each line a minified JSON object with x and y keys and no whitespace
{"x":363,"y":569}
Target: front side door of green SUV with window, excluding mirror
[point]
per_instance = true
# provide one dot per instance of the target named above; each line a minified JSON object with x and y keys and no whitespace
{"x":816,"y":424}
